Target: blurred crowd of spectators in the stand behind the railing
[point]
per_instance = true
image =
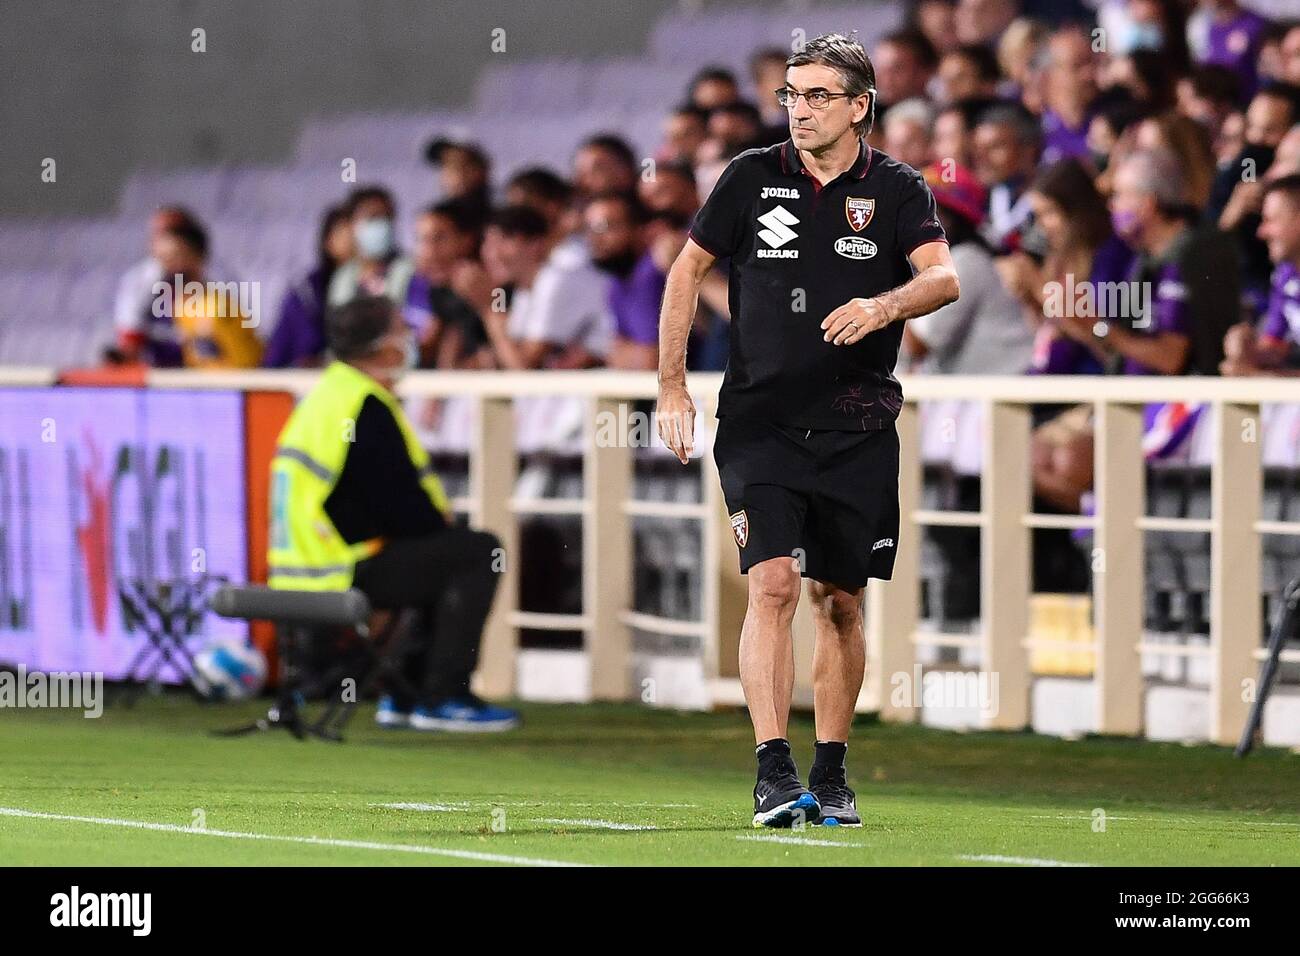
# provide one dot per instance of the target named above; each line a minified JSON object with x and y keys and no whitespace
{"x":1143,"y":146}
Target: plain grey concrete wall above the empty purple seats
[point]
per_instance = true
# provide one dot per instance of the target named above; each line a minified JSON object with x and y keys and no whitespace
{"x":109,"y":86}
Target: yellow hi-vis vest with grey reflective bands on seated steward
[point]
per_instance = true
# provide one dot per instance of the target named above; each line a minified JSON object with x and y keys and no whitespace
{"x":306,"y":552}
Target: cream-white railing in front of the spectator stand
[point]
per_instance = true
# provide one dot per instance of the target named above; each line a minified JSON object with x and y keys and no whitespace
{"x":1006,"y":521}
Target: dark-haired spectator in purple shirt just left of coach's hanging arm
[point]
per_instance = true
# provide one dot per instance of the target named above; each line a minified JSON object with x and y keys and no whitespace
{"x":616,"y":236}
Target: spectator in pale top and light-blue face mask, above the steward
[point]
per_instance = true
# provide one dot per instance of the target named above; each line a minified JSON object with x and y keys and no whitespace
{"x":378,"y":267}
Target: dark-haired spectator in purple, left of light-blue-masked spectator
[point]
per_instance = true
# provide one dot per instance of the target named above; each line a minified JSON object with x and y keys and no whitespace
{"x":300,"y":335}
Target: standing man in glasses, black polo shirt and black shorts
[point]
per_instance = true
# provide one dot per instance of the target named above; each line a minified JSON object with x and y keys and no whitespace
{"x":833,"y":245}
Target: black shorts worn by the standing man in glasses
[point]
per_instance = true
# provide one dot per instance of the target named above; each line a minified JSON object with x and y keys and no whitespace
{"x":826,"y":499}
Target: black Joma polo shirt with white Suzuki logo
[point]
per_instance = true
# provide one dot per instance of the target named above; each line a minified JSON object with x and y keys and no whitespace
{"x":800,"y":250}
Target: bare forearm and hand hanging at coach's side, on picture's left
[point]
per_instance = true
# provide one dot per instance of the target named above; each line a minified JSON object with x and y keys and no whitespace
{"x":675,"y":414}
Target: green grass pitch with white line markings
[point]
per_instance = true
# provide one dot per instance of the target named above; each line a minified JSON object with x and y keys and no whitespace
{"x":612,"y":785}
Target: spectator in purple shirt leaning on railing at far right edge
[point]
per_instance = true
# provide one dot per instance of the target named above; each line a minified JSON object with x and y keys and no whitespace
{"x":1273,"y":349}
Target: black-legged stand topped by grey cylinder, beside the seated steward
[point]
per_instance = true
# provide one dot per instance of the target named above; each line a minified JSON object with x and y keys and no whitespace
{"x":300,"y":617}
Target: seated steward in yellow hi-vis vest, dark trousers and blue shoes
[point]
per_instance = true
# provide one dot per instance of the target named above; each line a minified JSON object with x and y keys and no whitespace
{"x":354,"y":504}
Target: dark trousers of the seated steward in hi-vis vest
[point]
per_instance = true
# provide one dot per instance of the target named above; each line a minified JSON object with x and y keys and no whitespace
{"x":450,"y":576}
